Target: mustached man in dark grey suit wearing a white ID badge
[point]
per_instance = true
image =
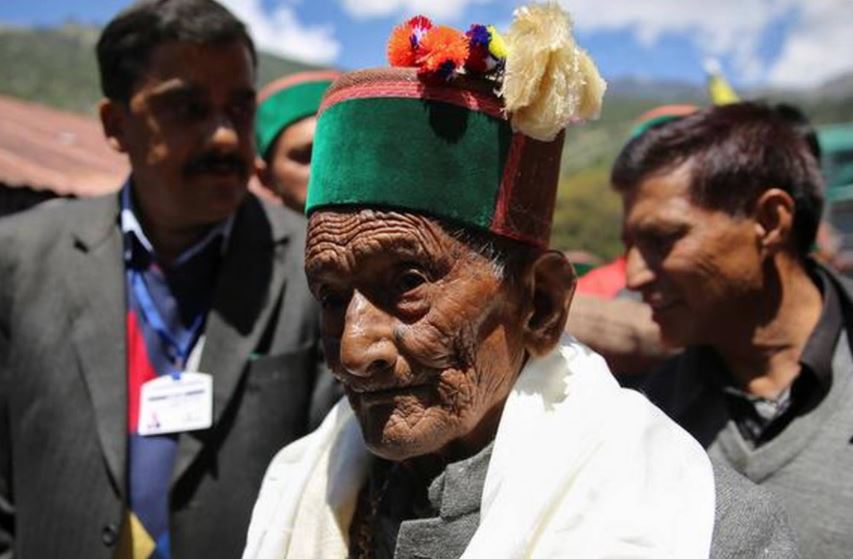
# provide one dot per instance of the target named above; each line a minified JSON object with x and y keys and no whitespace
{"x":156,"y":346}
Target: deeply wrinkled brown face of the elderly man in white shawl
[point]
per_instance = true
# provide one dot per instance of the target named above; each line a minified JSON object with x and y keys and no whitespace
{"x":426,"y":340}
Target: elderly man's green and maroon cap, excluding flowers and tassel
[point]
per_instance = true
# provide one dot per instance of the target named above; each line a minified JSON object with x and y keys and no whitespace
{"x":386,"y":139}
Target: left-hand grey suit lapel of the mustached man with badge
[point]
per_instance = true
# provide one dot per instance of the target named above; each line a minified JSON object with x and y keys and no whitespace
{"x":97,"y":304}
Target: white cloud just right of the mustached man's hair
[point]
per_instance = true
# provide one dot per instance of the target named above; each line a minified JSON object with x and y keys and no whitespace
{"x":279,"y":31}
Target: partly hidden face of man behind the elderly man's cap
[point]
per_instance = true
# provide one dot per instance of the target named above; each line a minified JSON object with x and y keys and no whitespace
{"x":290,"y":162}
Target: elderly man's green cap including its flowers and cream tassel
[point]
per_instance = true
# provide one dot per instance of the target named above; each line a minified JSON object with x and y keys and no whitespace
{"x":464,"y":127}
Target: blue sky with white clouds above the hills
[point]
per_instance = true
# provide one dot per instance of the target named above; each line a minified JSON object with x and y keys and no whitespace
{"x":797,"y":43}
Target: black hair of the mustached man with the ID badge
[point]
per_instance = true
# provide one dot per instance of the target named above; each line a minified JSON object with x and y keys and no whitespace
{"x":128,"y":39}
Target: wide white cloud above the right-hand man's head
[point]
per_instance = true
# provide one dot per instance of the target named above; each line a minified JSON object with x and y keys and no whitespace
{"x":815,"y":48}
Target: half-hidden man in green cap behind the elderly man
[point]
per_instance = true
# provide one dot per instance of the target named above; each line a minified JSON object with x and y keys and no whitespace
{"x":284,"y":134}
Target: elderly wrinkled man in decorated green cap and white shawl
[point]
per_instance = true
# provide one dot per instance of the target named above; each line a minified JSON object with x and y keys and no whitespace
{"x":473,"y":428}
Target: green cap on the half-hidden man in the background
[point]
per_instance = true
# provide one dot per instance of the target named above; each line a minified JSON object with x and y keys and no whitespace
{"x":286,"y":101}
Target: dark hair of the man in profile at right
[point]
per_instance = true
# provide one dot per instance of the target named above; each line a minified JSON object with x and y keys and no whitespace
{"x":736,"y":152}
